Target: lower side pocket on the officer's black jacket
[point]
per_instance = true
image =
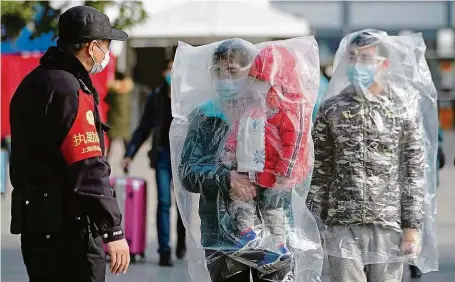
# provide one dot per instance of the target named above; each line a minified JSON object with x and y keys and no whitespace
{"x":43,"y":210}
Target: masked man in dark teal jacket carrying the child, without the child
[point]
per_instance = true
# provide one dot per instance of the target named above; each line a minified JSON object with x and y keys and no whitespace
{"x":199,"y":170}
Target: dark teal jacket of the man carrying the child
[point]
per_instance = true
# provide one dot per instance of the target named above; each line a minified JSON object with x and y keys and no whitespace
{"x":200,"y":170}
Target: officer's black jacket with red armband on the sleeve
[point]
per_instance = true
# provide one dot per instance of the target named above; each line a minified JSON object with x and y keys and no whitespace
{"x":58,"y":171}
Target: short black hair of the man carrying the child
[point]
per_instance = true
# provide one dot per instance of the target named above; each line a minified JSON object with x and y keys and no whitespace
{"x":234,"y":48}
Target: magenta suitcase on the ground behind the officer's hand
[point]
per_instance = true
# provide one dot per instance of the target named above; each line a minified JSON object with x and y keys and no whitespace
{"x":132,"y":198}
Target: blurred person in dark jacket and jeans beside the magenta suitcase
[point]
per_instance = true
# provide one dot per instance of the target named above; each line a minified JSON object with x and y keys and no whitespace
{"x":157,"y":117}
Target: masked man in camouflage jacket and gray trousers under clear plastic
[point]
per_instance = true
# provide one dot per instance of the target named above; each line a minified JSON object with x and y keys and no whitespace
{"x":368,"y":182}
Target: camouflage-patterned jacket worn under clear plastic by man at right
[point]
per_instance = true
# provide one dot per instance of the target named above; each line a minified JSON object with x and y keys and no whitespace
{"x":369,"y":162}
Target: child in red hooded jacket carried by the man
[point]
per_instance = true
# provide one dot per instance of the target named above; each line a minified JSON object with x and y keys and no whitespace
{"x":270,"y":142}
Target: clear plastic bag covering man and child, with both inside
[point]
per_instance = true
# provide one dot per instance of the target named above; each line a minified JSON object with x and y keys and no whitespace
{"x":242,"y":155}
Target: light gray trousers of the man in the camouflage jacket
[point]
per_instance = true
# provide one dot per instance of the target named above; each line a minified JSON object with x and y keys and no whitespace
{"x":371,"y":243}
